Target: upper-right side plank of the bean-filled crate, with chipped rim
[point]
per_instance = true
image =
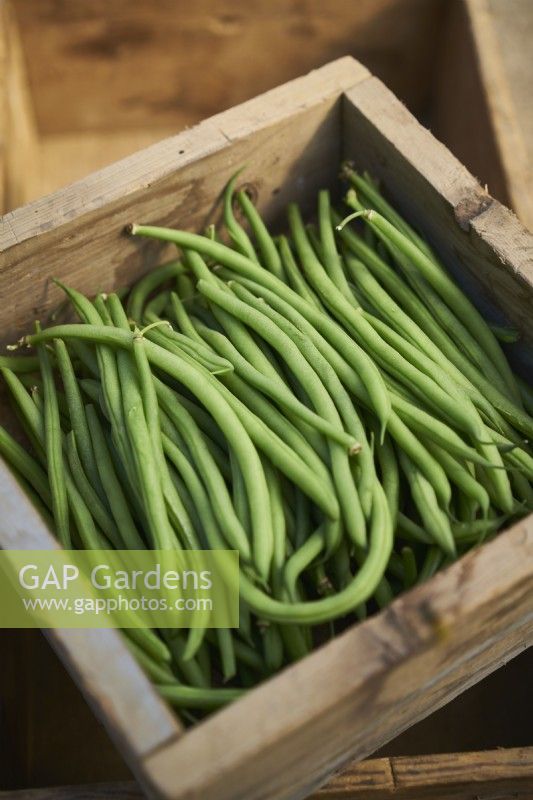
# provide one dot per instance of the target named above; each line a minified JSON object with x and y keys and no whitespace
{"x":494,"y":262}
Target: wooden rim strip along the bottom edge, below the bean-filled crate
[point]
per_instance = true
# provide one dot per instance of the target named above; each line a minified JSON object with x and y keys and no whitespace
{"x":509,"y":773}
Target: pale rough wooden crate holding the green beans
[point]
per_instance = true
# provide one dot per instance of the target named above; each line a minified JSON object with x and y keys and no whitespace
{"x":362,"y":689}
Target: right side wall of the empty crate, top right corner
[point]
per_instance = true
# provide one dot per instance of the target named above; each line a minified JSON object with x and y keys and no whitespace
{"x":483,"y":109}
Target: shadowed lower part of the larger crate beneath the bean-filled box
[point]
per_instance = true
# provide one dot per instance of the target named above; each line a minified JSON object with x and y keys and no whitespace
{"x":474,"y":745}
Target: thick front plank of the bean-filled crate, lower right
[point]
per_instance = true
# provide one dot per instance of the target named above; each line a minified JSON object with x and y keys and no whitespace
{"x":363,"y":688}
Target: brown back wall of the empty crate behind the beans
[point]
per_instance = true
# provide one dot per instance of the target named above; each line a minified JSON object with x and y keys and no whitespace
{"x":85,"y":56}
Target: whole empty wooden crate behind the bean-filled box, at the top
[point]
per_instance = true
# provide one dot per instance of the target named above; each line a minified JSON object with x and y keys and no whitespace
{"x":83,"y":84}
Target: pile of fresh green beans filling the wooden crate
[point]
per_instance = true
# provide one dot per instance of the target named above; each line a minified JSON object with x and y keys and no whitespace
{"x":326,"y":402}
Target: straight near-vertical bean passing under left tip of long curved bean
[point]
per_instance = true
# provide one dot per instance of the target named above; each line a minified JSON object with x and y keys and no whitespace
{"x":53,"y":450}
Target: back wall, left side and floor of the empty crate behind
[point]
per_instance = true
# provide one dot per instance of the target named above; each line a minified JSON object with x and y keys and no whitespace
{"x":88,"y":82}
